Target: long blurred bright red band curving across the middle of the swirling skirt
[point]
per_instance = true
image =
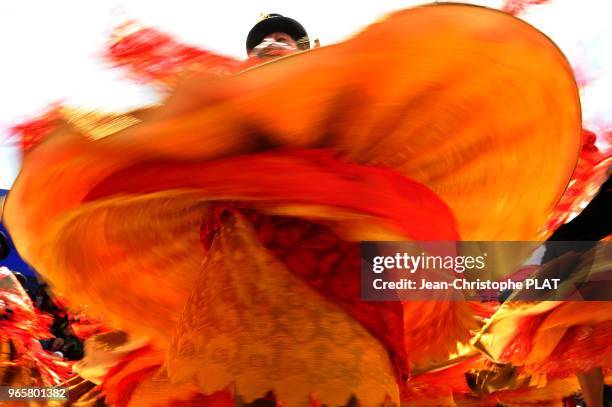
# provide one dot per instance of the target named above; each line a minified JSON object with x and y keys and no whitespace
{"x":300,"y":177}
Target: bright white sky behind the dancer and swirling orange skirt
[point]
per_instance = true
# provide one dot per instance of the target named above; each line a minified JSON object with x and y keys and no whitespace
{"x":50,"y":49}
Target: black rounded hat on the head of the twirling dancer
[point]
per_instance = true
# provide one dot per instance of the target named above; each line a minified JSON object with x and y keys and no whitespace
{"x":277,"y":23}
